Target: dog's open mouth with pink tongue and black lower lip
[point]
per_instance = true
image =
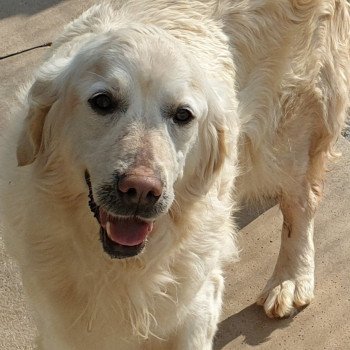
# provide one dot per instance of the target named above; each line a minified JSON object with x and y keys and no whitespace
{"x":123,"y":237}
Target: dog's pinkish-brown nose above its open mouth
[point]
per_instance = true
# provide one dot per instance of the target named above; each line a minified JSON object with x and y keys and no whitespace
{"x":140,"y":189}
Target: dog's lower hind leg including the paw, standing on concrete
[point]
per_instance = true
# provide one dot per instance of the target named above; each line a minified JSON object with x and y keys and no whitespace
{"x":292,"y":283}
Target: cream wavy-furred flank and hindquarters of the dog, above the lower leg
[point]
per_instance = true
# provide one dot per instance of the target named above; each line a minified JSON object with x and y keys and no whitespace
{"x":293,"y":73}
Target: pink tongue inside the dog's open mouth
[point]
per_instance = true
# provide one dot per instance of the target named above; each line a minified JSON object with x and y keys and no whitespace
{"x":128,"y":231}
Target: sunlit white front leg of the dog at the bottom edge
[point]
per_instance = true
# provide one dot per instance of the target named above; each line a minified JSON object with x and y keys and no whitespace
{"x":199,"y":327}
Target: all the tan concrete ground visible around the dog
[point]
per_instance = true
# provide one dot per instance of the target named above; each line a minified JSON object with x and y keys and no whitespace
{"x":324,"y":324}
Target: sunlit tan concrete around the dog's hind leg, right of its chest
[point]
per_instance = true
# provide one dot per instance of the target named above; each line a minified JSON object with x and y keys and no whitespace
{"x":325,"y":323}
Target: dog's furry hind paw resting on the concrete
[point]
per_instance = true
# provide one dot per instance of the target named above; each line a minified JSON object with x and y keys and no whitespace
{"x":281,"y":297}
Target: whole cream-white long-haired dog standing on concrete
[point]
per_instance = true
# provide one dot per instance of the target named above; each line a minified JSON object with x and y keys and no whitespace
{"x":128,"y":147}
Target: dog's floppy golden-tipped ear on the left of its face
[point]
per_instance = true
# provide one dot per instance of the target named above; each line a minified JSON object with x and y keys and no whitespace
{"x":43,"y":93}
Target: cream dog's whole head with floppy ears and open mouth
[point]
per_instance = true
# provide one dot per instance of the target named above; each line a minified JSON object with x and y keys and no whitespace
{"x":134,"y":114}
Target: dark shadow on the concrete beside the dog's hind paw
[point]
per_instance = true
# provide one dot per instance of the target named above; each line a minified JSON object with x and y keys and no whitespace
{"x":251,"y":323}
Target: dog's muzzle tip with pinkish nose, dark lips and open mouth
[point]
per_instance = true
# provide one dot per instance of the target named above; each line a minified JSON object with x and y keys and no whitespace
{"x":126,"y":213}
